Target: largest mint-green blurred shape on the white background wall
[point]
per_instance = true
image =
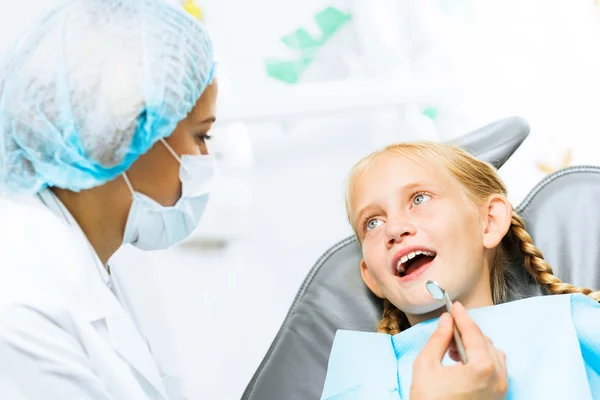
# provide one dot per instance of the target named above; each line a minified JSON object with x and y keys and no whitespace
{"x":330,"y":21}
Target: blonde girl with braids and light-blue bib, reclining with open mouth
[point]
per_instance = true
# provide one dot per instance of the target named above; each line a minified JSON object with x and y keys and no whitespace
{"x":426,"y":211}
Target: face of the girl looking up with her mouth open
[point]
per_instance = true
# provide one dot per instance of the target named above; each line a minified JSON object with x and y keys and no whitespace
{"x":416,"y":223}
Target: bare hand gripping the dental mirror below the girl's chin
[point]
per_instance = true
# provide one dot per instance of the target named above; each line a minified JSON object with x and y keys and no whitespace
{"x":483,"y":376}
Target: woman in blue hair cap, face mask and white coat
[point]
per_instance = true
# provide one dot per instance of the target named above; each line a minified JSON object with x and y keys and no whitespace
{"x":105,"y":109}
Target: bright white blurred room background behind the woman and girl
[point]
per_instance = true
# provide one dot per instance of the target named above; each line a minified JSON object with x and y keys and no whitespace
{"x":306,"y":89}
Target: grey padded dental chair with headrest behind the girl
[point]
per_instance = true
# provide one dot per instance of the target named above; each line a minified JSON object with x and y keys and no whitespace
{"x":562,"y":215}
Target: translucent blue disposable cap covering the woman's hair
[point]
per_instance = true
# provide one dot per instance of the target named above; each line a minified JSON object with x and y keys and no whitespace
{"x":94,"y":86}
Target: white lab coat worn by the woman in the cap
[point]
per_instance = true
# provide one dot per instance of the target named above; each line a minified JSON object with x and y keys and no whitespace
{"x":64,"y":334}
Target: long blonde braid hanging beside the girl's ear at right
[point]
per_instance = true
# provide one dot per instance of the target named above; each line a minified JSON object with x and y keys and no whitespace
{"x":539,"y":269}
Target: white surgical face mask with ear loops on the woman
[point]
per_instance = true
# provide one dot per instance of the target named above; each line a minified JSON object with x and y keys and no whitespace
{"x":152,"y":226}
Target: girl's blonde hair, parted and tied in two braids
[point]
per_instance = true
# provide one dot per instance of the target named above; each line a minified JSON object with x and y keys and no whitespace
{"x":480,"y":180}
